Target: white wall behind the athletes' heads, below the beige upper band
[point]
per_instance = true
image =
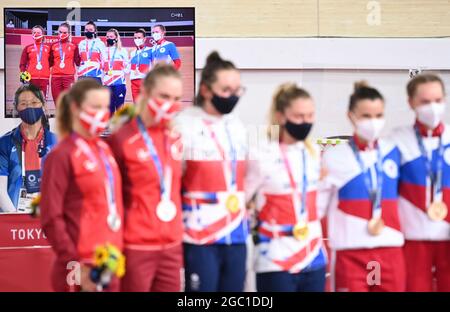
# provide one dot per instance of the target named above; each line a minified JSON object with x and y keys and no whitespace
{"x":327,"y":68}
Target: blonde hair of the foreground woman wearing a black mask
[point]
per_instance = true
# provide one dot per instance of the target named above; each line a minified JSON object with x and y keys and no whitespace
{"x":282,"y":99}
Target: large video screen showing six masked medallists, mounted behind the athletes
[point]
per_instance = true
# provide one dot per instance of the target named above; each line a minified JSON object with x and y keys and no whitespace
{"x":34,"y":52}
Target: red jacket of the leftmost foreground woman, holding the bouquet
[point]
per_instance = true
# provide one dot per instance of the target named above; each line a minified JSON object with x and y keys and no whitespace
{"x":74,"y":204}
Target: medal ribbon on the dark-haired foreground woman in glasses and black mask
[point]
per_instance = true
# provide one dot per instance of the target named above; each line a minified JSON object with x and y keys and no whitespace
{"x":230,"y":177}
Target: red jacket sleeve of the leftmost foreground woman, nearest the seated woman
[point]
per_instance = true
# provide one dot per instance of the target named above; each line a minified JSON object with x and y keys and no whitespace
{"x":55,"y":181}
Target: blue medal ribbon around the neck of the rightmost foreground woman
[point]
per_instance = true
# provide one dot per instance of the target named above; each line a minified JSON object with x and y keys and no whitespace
{"x":436,"y":178}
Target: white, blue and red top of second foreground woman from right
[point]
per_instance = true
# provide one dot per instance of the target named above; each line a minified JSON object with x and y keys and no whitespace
{"x":343,"y":195}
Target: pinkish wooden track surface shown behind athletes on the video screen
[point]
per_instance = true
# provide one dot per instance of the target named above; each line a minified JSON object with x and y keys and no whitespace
{"x":12,"y":57}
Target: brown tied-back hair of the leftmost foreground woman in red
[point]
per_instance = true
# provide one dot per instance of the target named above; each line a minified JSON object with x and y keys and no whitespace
{"x":76,"y":95}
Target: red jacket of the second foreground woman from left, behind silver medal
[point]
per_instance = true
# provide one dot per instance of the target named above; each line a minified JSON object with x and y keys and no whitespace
{"x":141,"y":187}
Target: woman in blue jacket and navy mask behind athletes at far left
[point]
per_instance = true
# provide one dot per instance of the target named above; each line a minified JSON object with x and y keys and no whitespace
{"x":22,"y":151}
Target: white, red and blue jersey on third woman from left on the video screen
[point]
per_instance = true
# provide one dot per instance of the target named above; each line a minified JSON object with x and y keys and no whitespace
{"x":92,"y":54}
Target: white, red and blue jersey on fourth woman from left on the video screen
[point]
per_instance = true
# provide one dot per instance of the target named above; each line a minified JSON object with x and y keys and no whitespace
{"x":115,"y":66}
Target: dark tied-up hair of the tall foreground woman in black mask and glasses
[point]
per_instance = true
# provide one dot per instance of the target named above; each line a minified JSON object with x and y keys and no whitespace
{"x":214,"y":63}
